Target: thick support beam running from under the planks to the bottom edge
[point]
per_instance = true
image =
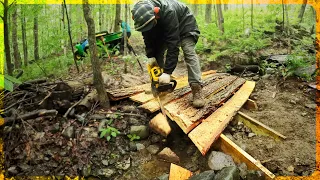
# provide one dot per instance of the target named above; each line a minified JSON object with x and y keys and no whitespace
{"x":240,"y":156}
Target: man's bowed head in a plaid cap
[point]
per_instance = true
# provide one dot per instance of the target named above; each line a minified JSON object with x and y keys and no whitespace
{"x":143,"y":14}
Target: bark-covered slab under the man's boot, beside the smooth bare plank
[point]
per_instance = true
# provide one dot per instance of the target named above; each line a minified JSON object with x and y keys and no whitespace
{"x":188,"y":117}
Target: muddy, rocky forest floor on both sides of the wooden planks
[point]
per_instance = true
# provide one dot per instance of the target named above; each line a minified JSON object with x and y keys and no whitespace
{"x":40,"y":147}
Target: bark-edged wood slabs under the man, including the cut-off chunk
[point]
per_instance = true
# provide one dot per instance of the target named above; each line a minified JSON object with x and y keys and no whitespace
{"x":224,"y":94}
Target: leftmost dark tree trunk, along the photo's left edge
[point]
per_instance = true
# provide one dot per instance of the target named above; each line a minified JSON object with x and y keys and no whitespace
{"x":6,"y":37}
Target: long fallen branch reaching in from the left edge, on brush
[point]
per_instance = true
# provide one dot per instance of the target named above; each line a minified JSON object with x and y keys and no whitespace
{"x":30,"y":115}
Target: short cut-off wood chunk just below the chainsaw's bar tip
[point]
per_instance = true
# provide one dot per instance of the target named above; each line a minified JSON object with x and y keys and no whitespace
{"x":160,"y":125}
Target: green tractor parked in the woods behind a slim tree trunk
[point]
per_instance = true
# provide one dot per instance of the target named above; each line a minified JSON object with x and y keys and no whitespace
{"x":107,"y":43}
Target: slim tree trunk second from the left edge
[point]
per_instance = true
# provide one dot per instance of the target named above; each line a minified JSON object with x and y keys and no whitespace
{"x":16,"y":53}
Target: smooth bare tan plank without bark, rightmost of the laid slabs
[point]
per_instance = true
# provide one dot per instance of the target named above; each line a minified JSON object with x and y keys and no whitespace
{"x":209,"y":130}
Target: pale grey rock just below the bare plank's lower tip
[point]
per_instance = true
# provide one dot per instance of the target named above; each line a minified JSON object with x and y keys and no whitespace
{"x":218,"y":160}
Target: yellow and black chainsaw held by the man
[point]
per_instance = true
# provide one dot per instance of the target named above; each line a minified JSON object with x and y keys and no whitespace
{"x":157,"y":88}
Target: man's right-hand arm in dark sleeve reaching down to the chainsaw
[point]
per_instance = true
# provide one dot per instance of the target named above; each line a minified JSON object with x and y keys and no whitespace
{"x":172,"y":38}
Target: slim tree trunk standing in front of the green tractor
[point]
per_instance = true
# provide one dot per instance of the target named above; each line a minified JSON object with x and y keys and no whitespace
{"x":96,"y":66}
